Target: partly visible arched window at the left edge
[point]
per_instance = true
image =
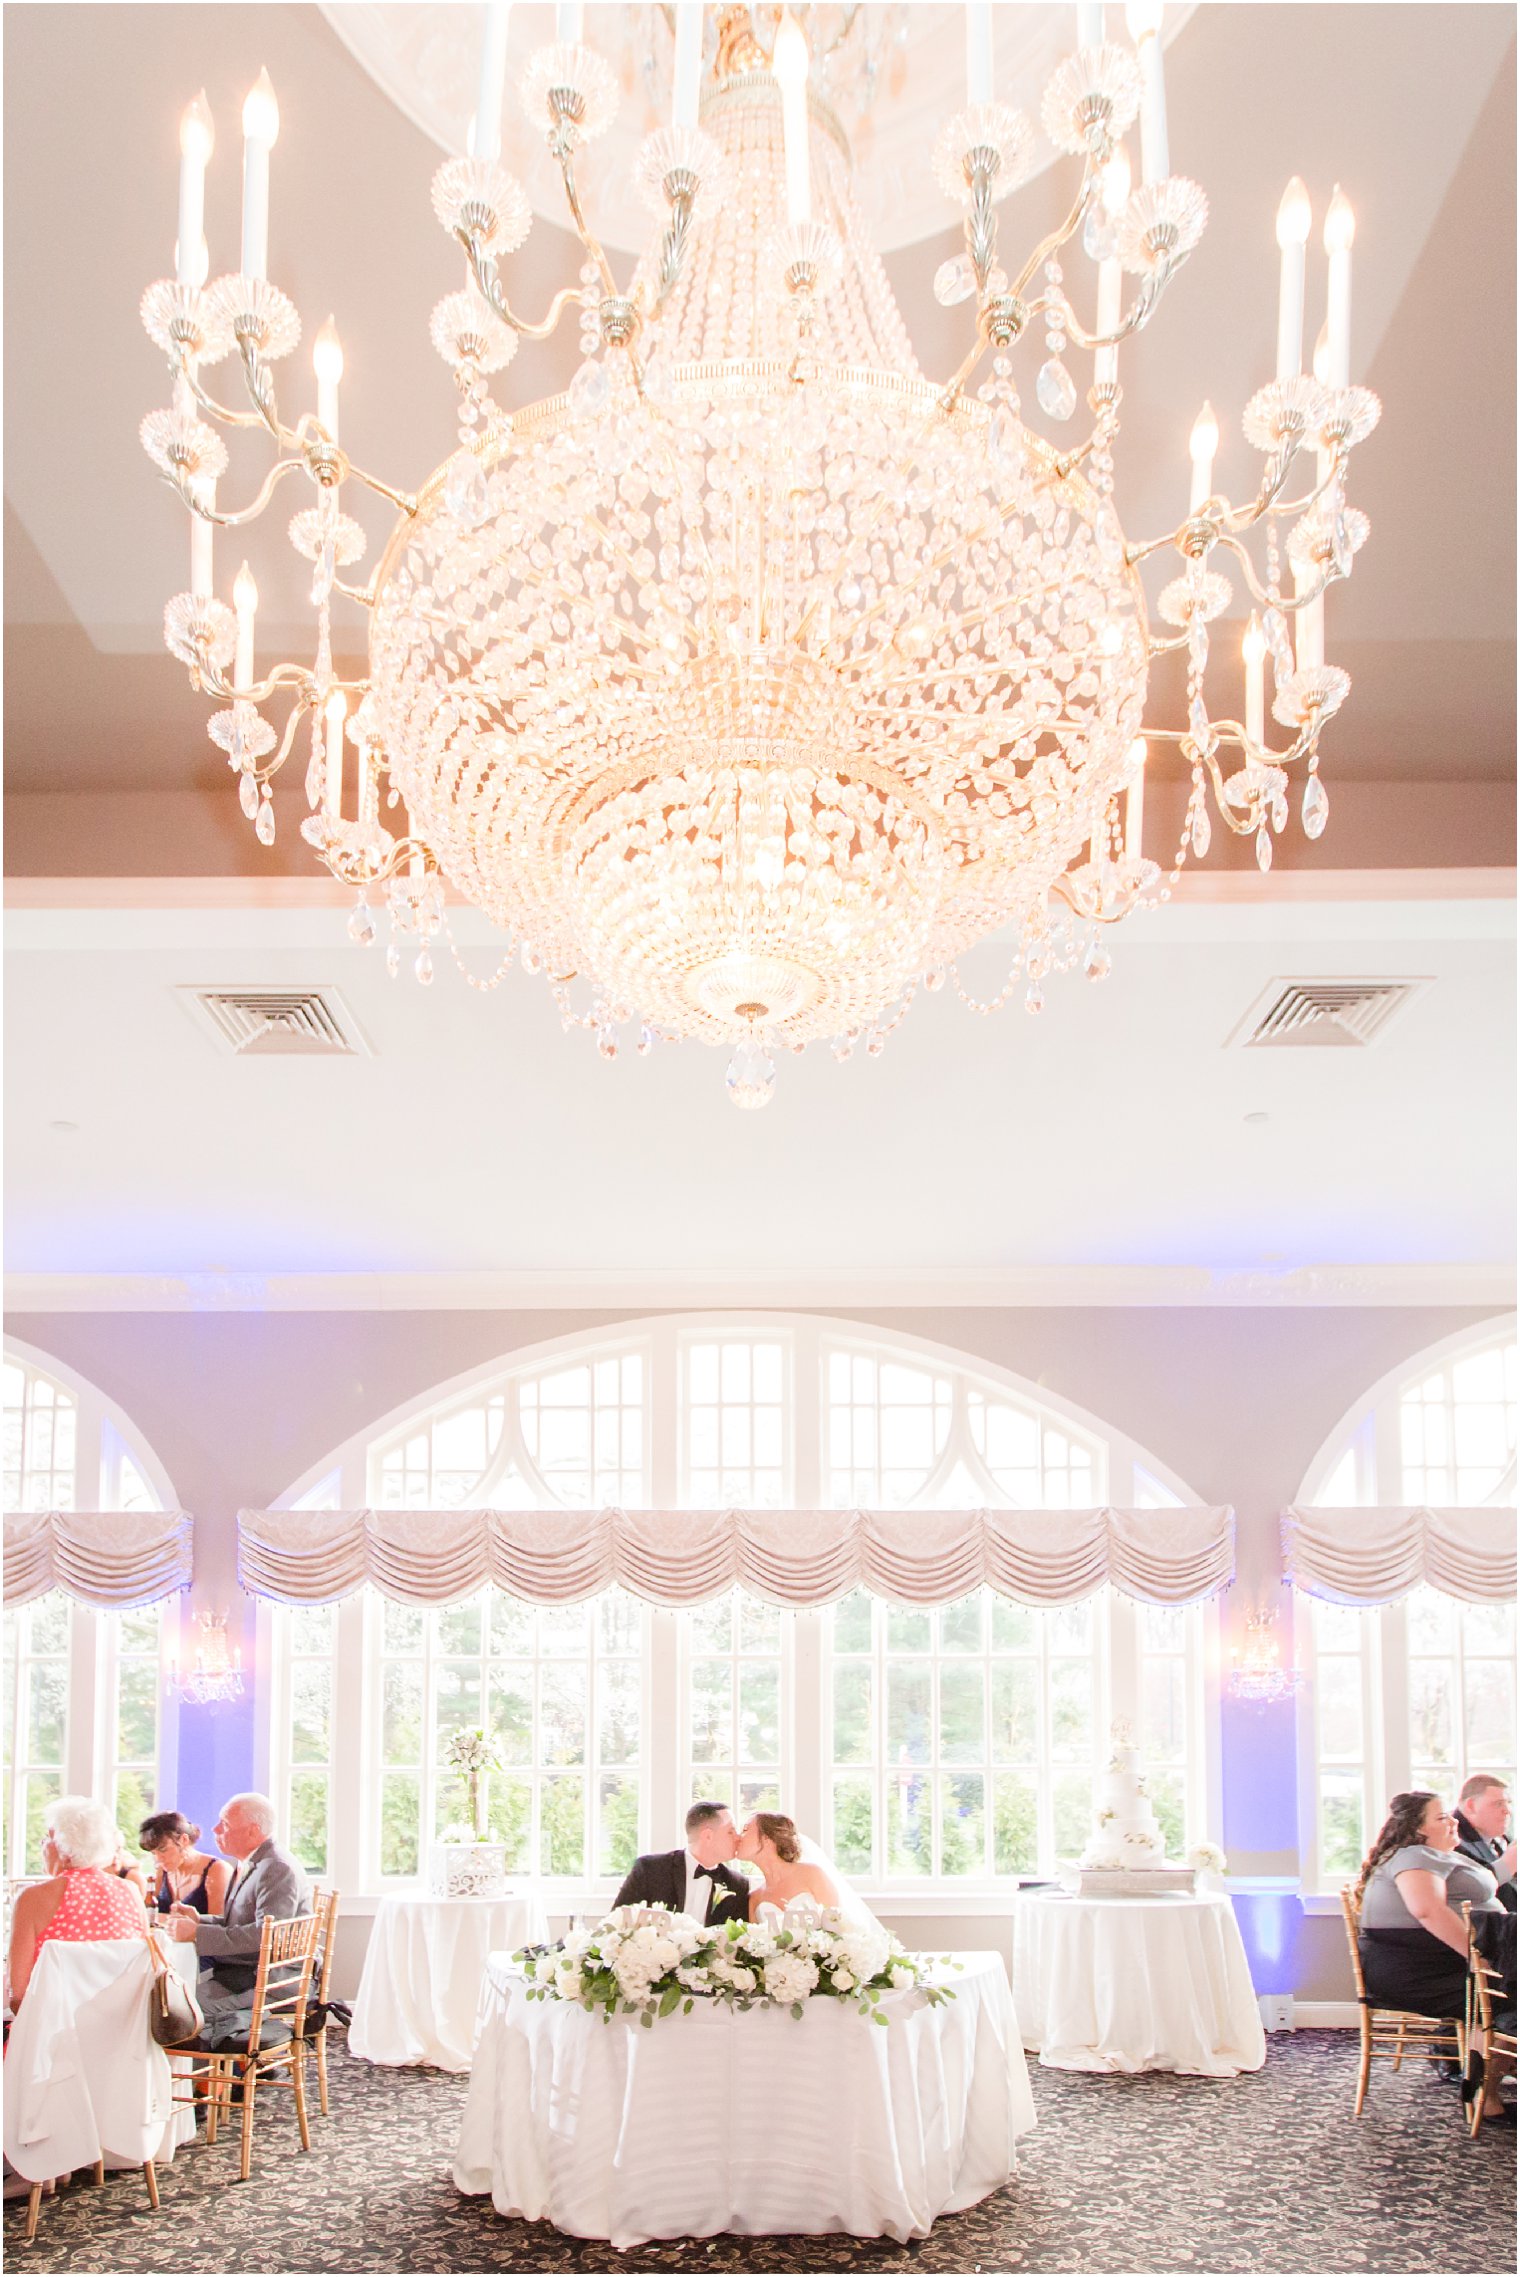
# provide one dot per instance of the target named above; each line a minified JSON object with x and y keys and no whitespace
{"x":83,"y":1688}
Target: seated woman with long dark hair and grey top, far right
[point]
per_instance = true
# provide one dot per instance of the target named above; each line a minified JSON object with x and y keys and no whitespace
{"x":1414,"y":1941}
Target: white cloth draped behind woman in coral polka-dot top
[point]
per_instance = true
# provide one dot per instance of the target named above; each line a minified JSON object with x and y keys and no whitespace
{"x":83,"y":2075}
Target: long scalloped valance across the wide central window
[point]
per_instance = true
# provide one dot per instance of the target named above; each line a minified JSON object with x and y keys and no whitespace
{"x":784,"y":1556}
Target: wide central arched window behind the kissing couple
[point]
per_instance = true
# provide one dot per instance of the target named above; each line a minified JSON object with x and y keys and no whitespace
{"x":934,"y":1750}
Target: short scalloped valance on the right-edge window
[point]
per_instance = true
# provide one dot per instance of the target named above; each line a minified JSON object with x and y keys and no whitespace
{"x":1373,"y":1556}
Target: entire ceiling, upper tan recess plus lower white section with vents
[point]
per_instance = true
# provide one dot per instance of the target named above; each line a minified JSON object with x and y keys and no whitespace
{"x":479,"y":1137}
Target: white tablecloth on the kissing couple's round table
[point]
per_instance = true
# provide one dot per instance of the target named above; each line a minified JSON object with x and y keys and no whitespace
{"x":757,"y":2123}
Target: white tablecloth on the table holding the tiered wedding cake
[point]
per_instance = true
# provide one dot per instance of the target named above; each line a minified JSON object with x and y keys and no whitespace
{"x":1137,"y":1984}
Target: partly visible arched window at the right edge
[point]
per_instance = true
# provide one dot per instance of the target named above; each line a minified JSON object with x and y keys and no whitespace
{"x":1421,"y":1693}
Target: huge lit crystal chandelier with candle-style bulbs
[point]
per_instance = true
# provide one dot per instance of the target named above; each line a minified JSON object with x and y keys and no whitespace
{"x":754,"y":680}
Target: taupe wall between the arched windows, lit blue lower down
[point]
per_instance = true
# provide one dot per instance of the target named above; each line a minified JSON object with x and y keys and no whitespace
{"x":1234,"y":1399}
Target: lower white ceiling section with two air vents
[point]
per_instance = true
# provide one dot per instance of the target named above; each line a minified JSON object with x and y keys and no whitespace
{"x":1109,"y":1131}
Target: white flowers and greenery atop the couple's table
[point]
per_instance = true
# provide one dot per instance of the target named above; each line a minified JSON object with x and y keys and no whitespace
{"x":647,"y":1962}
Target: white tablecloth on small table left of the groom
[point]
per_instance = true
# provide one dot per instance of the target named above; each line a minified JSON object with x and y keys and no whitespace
{"x":424,"y":1968}
